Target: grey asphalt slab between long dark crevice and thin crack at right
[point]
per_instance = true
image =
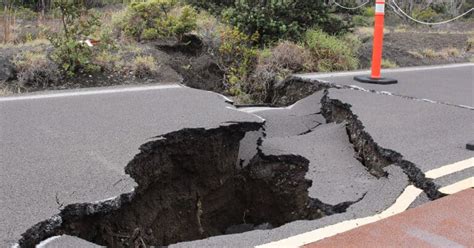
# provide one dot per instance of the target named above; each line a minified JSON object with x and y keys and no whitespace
{"x":426,"y":134}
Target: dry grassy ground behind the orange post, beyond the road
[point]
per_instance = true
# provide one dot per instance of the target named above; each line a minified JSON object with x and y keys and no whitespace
{"x":416,"y":46}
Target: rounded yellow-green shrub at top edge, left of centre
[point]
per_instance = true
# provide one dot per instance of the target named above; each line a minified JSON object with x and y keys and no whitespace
{"x":152,"y":19}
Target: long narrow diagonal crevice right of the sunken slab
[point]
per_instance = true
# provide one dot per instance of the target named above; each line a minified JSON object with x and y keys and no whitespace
{"x":369,"y":153}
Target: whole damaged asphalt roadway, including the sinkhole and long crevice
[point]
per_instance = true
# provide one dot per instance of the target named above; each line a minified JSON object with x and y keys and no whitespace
{"x":256,"y":174}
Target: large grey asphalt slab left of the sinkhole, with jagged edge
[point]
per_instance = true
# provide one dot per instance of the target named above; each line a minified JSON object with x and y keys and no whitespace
{"x":60,"y":150}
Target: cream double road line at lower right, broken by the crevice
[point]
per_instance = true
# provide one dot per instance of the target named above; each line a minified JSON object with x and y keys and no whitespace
{"x":401,"y":204}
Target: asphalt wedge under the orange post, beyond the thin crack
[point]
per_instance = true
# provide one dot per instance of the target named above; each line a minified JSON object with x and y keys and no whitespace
{"x":452,"y":84}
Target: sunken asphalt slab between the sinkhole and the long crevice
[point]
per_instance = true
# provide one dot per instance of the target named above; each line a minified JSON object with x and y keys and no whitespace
{"x":337,"y":176}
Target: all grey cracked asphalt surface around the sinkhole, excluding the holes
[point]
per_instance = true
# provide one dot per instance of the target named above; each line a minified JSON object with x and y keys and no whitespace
{"x":74,"y":148}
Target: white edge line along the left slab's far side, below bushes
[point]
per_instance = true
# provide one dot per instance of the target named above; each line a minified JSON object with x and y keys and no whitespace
{"x":90,"y":92}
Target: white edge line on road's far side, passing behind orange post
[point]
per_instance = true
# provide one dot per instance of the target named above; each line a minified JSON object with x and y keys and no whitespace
{"x":407,"y":69}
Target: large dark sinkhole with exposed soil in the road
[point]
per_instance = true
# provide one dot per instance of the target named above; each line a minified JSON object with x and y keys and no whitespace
{"x":190,"y":187}
